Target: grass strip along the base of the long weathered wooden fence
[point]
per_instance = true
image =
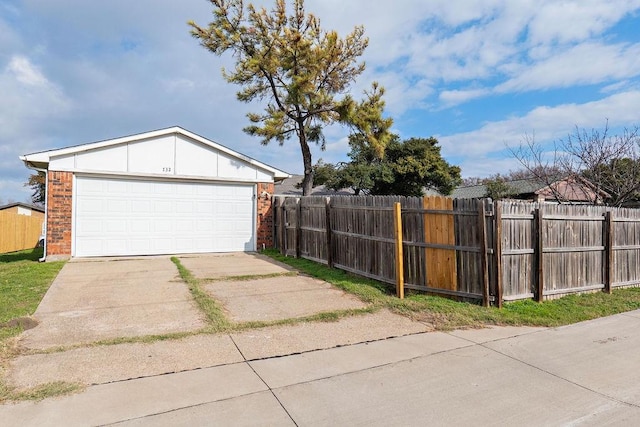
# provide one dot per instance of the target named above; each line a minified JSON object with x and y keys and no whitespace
{"x":446,"y":314}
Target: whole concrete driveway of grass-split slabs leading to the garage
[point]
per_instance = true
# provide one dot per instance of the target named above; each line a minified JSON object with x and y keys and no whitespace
{"x":93,"y":300}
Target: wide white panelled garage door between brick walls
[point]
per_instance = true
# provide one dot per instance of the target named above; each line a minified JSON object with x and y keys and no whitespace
{"x":133,"y":217}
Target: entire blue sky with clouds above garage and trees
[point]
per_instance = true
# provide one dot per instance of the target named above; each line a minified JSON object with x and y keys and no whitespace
{"x":478,"y":75}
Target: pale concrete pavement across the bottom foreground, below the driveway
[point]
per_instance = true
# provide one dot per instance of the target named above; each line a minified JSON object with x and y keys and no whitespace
{"x":584,"y":374}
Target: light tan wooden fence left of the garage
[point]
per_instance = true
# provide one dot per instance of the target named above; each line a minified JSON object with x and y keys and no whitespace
{"x":18,"y":232}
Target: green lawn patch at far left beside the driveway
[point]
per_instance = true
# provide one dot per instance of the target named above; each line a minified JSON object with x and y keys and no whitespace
{"x":23,"y":283}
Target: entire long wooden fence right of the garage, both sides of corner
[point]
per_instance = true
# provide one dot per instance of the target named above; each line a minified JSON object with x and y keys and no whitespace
{"x":472,"y":249}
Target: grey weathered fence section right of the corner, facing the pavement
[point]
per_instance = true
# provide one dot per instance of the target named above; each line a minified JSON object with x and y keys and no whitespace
{"x":553,"y":250}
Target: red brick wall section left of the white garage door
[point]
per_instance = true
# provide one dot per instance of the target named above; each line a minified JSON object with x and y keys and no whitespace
{"x":59,"y":193}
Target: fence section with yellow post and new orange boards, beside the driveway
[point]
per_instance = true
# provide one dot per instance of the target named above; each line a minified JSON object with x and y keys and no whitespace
{"x":359,"y":234}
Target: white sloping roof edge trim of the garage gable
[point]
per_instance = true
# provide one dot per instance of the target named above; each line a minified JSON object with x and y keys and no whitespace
{"x":40,"y":160}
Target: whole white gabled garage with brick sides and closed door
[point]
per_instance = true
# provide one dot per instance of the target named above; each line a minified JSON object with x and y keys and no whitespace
{"x":162,"y":192}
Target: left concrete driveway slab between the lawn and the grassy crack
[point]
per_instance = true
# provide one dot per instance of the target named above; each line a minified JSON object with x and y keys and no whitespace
{"x":93,"y":300}
